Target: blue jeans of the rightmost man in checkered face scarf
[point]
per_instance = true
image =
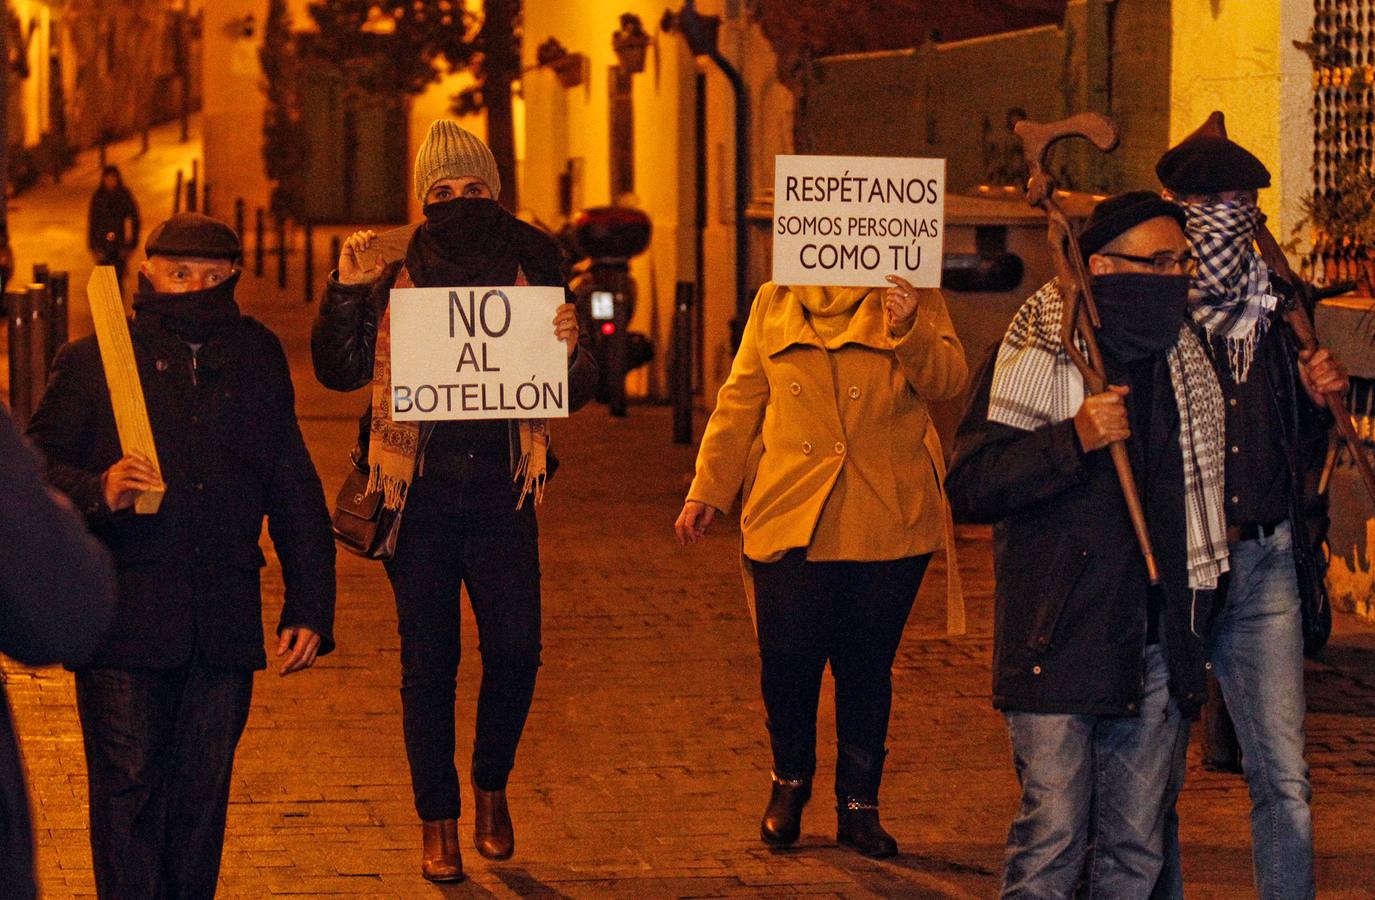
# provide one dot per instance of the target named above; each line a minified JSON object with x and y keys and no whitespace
{"x":1257,"y":653}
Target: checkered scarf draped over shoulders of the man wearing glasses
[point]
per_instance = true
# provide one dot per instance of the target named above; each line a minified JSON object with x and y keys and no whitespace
{"x":1035,"y":384}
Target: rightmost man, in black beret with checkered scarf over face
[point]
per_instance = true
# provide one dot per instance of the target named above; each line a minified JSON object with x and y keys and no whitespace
{"x":1275,"y":417}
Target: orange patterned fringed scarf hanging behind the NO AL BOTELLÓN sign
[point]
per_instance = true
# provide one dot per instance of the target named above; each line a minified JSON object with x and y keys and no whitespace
{"x":394,"y":447}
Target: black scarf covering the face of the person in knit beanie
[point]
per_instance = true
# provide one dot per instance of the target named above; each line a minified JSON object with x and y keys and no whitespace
{"x":465,"y":243}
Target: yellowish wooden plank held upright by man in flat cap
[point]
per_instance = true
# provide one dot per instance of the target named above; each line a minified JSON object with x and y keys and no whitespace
{"x":122,"y":376}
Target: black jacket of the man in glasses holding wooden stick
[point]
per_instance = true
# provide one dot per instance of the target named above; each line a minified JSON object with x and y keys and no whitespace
{"x":1072,"y":587}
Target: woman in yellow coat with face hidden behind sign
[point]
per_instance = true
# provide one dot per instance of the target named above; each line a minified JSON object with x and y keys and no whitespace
{"x":823,"y":428}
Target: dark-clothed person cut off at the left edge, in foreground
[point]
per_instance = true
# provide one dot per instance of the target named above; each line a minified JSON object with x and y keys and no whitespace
{"x":57,"y":598}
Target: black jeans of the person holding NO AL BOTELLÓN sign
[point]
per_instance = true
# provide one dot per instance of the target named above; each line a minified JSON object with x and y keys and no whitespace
{"x":463,"y":528}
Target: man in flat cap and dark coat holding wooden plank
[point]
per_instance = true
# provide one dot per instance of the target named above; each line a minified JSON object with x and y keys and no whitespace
{"x":166,"y":697}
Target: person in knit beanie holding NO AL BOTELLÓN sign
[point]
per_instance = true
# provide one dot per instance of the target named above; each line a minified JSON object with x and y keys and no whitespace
{"x":463,"y":487}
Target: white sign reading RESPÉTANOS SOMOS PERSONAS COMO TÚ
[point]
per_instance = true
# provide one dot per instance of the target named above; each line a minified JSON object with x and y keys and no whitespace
{"x":853,"y":221}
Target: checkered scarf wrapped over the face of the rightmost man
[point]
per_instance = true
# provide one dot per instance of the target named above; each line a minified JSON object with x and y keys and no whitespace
{"x":1231,"y":295}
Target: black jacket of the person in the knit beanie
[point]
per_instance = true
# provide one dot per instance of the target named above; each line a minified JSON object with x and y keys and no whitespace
{"x":346,"y":336}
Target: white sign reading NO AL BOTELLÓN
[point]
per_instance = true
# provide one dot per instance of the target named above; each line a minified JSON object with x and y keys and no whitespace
{"x":478,"y":354}
